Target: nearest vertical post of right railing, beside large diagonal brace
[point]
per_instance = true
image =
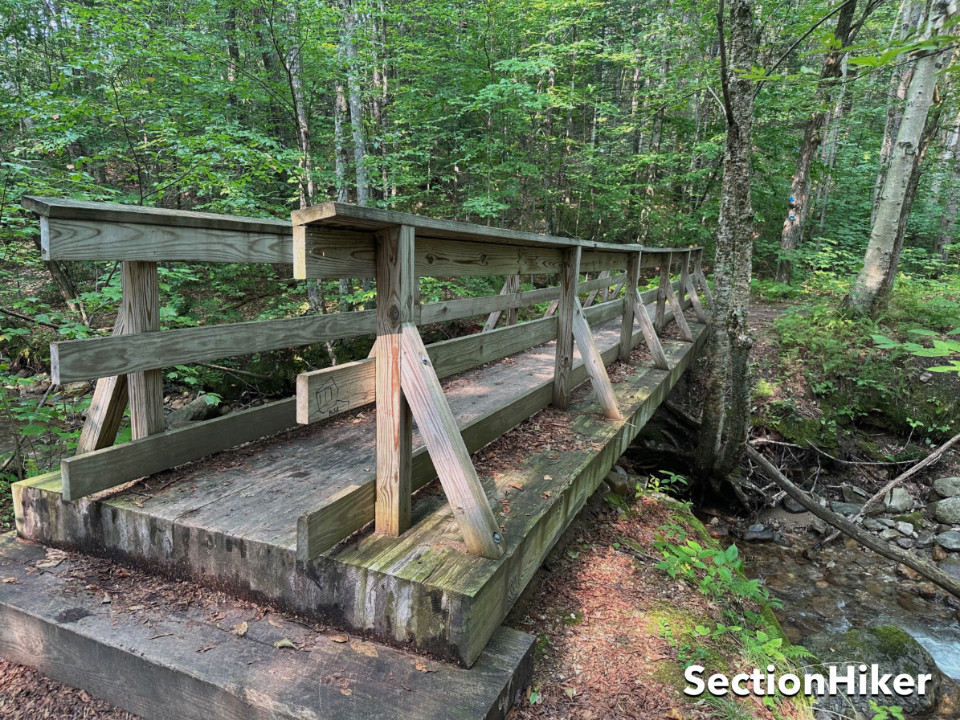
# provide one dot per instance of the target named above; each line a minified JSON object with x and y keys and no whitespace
{"x":396,"y":290}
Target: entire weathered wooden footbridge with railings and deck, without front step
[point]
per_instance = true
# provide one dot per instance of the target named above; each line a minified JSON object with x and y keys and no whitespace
{"x":325,"y":504}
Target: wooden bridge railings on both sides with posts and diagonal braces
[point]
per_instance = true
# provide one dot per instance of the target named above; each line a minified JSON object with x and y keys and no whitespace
{"x":332,"y":241}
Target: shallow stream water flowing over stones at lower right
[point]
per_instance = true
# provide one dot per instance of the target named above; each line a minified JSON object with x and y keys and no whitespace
{"x":847,"y":588}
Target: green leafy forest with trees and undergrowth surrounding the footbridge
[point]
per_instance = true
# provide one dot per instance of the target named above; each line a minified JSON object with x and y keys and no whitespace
{"x":812,"y":148}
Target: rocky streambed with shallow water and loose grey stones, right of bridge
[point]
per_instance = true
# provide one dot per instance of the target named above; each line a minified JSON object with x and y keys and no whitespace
{"x":844,"y":586}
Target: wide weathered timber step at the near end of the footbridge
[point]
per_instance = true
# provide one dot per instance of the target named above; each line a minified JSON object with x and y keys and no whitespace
{"x":212,"y":659}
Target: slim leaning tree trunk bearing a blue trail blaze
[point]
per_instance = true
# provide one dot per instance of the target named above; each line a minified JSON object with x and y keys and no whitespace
{"x":799,"y":201}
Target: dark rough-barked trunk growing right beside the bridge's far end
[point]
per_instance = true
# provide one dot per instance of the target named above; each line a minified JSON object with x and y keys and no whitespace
{"x":726,"y":408}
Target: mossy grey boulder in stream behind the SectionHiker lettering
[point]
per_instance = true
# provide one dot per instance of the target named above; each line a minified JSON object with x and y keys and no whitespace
{"x":887,"y":646}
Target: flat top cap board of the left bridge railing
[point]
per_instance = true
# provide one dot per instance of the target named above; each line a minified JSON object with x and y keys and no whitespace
{"x":62,"y":209}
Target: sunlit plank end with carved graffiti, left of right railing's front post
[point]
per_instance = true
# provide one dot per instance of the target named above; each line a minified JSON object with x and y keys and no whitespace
{"x":322,"y":394}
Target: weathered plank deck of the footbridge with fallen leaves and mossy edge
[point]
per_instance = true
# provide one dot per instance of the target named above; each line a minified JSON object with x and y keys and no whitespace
{"x":231,"y":520}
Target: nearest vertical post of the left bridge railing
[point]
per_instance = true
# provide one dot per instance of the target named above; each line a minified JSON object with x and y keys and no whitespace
{"x":141,"y":313}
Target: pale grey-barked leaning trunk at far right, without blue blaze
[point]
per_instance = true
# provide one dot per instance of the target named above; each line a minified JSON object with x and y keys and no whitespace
{"x":882,"y":256}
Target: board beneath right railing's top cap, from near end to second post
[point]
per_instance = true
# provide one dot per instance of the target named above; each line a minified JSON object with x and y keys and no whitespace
{"x":316,"y":255}
